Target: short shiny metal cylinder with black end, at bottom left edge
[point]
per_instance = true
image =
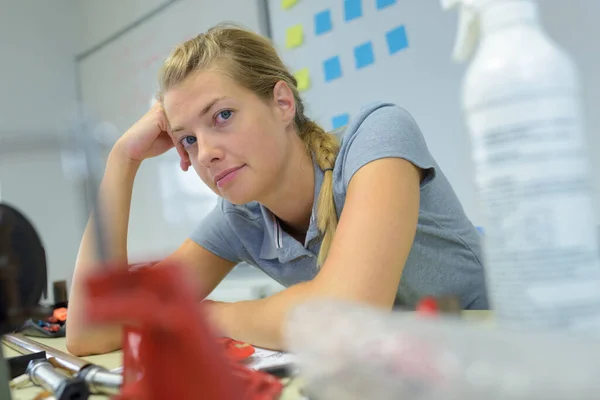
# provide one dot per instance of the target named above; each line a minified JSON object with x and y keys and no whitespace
{"x":43,"y":374}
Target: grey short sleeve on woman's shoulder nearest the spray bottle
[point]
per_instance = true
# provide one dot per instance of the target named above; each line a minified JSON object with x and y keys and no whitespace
{"x":385,"y":131}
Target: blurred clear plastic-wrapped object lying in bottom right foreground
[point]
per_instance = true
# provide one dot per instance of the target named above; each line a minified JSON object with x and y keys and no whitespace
{"x":351,"y":352}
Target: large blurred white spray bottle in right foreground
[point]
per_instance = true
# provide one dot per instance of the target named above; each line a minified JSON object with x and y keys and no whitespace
{"x":521,"y":104}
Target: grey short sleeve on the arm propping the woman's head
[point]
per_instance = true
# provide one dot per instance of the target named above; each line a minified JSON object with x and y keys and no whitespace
{"x":216,"y":235}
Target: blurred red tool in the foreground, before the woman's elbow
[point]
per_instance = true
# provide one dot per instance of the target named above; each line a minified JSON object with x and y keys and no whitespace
{"x":175,"y":356}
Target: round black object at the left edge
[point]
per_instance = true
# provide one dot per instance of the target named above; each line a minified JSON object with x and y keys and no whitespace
{"x":23,"y":275}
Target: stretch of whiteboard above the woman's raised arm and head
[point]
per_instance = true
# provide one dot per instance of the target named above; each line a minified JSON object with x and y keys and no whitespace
{"x":119,"y":80}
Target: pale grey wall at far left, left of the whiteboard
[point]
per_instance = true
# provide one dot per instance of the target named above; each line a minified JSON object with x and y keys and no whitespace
{"x":39,"y":41}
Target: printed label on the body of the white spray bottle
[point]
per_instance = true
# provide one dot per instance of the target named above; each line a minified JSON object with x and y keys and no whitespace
{"x":533,"y":180}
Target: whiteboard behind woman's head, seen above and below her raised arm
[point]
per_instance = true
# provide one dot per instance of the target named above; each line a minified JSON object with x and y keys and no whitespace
{"x":118,"y":83}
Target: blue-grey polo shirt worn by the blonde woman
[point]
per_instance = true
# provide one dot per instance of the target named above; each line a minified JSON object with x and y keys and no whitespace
{"x":445,"y":258}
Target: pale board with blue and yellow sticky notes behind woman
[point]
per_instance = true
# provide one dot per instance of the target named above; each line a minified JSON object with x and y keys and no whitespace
{"x":420,"y":77}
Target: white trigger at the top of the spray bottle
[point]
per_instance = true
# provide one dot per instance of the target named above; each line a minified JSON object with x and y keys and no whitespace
{"x":468,"y":28}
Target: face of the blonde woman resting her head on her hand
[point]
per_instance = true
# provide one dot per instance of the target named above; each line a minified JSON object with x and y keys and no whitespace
{"x":237,"y":143}
